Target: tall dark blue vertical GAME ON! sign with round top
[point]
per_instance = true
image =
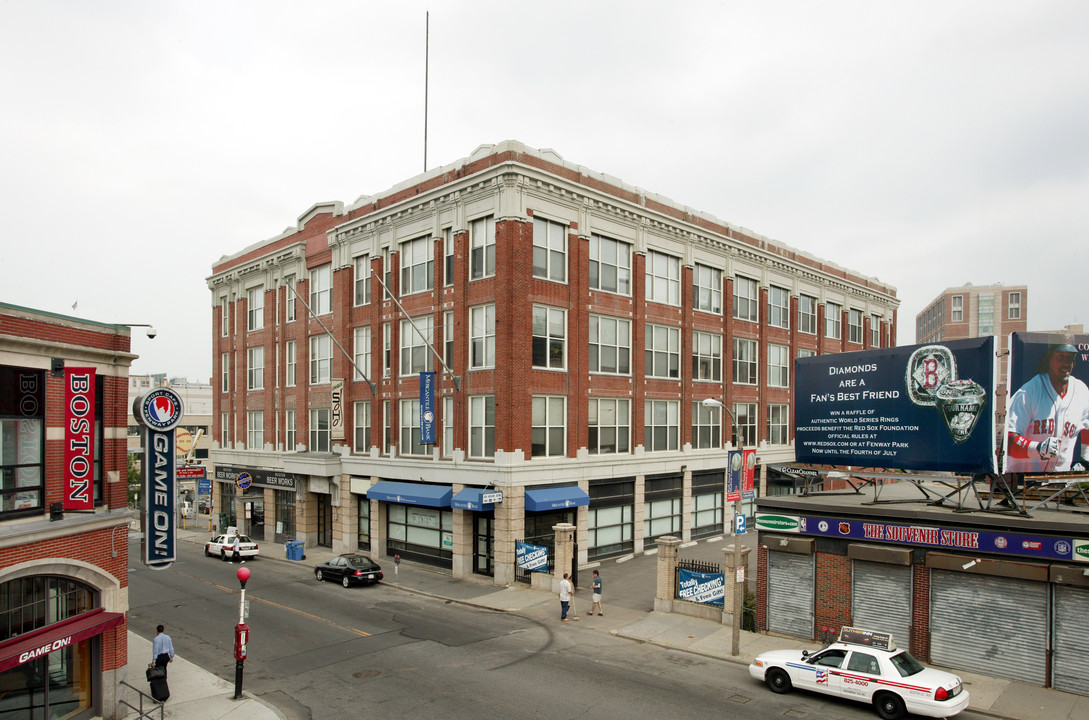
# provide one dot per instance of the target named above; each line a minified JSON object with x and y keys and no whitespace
{"x":160,"y":411}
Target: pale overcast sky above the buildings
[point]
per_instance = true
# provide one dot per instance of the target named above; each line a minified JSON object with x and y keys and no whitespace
{"x":928,"y":145}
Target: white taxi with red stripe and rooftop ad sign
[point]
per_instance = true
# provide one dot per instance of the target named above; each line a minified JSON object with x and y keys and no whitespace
{"x":867,"y":667}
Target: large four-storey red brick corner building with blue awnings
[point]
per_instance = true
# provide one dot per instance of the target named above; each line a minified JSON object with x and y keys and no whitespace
{"x":577,"y":325}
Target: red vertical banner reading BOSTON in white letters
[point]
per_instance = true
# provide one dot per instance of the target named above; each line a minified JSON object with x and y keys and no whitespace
{"x":79,"y":438}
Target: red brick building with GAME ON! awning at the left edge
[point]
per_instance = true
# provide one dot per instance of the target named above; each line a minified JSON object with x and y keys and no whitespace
{"x":64,"y":573}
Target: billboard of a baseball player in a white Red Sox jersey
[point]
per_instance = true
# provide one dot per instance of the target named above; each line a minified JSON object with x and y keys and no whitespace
{"x":1048,"y":404}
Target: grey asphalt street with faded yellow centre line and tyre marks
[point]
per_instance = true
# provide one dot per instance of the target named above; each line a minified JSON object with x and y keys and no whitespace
{"x":320,"y":651}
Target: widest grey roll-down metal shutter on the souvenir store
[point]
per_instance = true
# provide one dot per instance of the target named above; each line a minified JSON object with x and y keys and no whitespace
{"x":996,"y":627}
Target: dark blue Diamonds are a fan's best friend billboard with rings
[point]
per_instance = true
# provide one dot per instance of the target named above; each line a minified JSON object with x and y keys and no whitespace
{"x":919,"y":408}
